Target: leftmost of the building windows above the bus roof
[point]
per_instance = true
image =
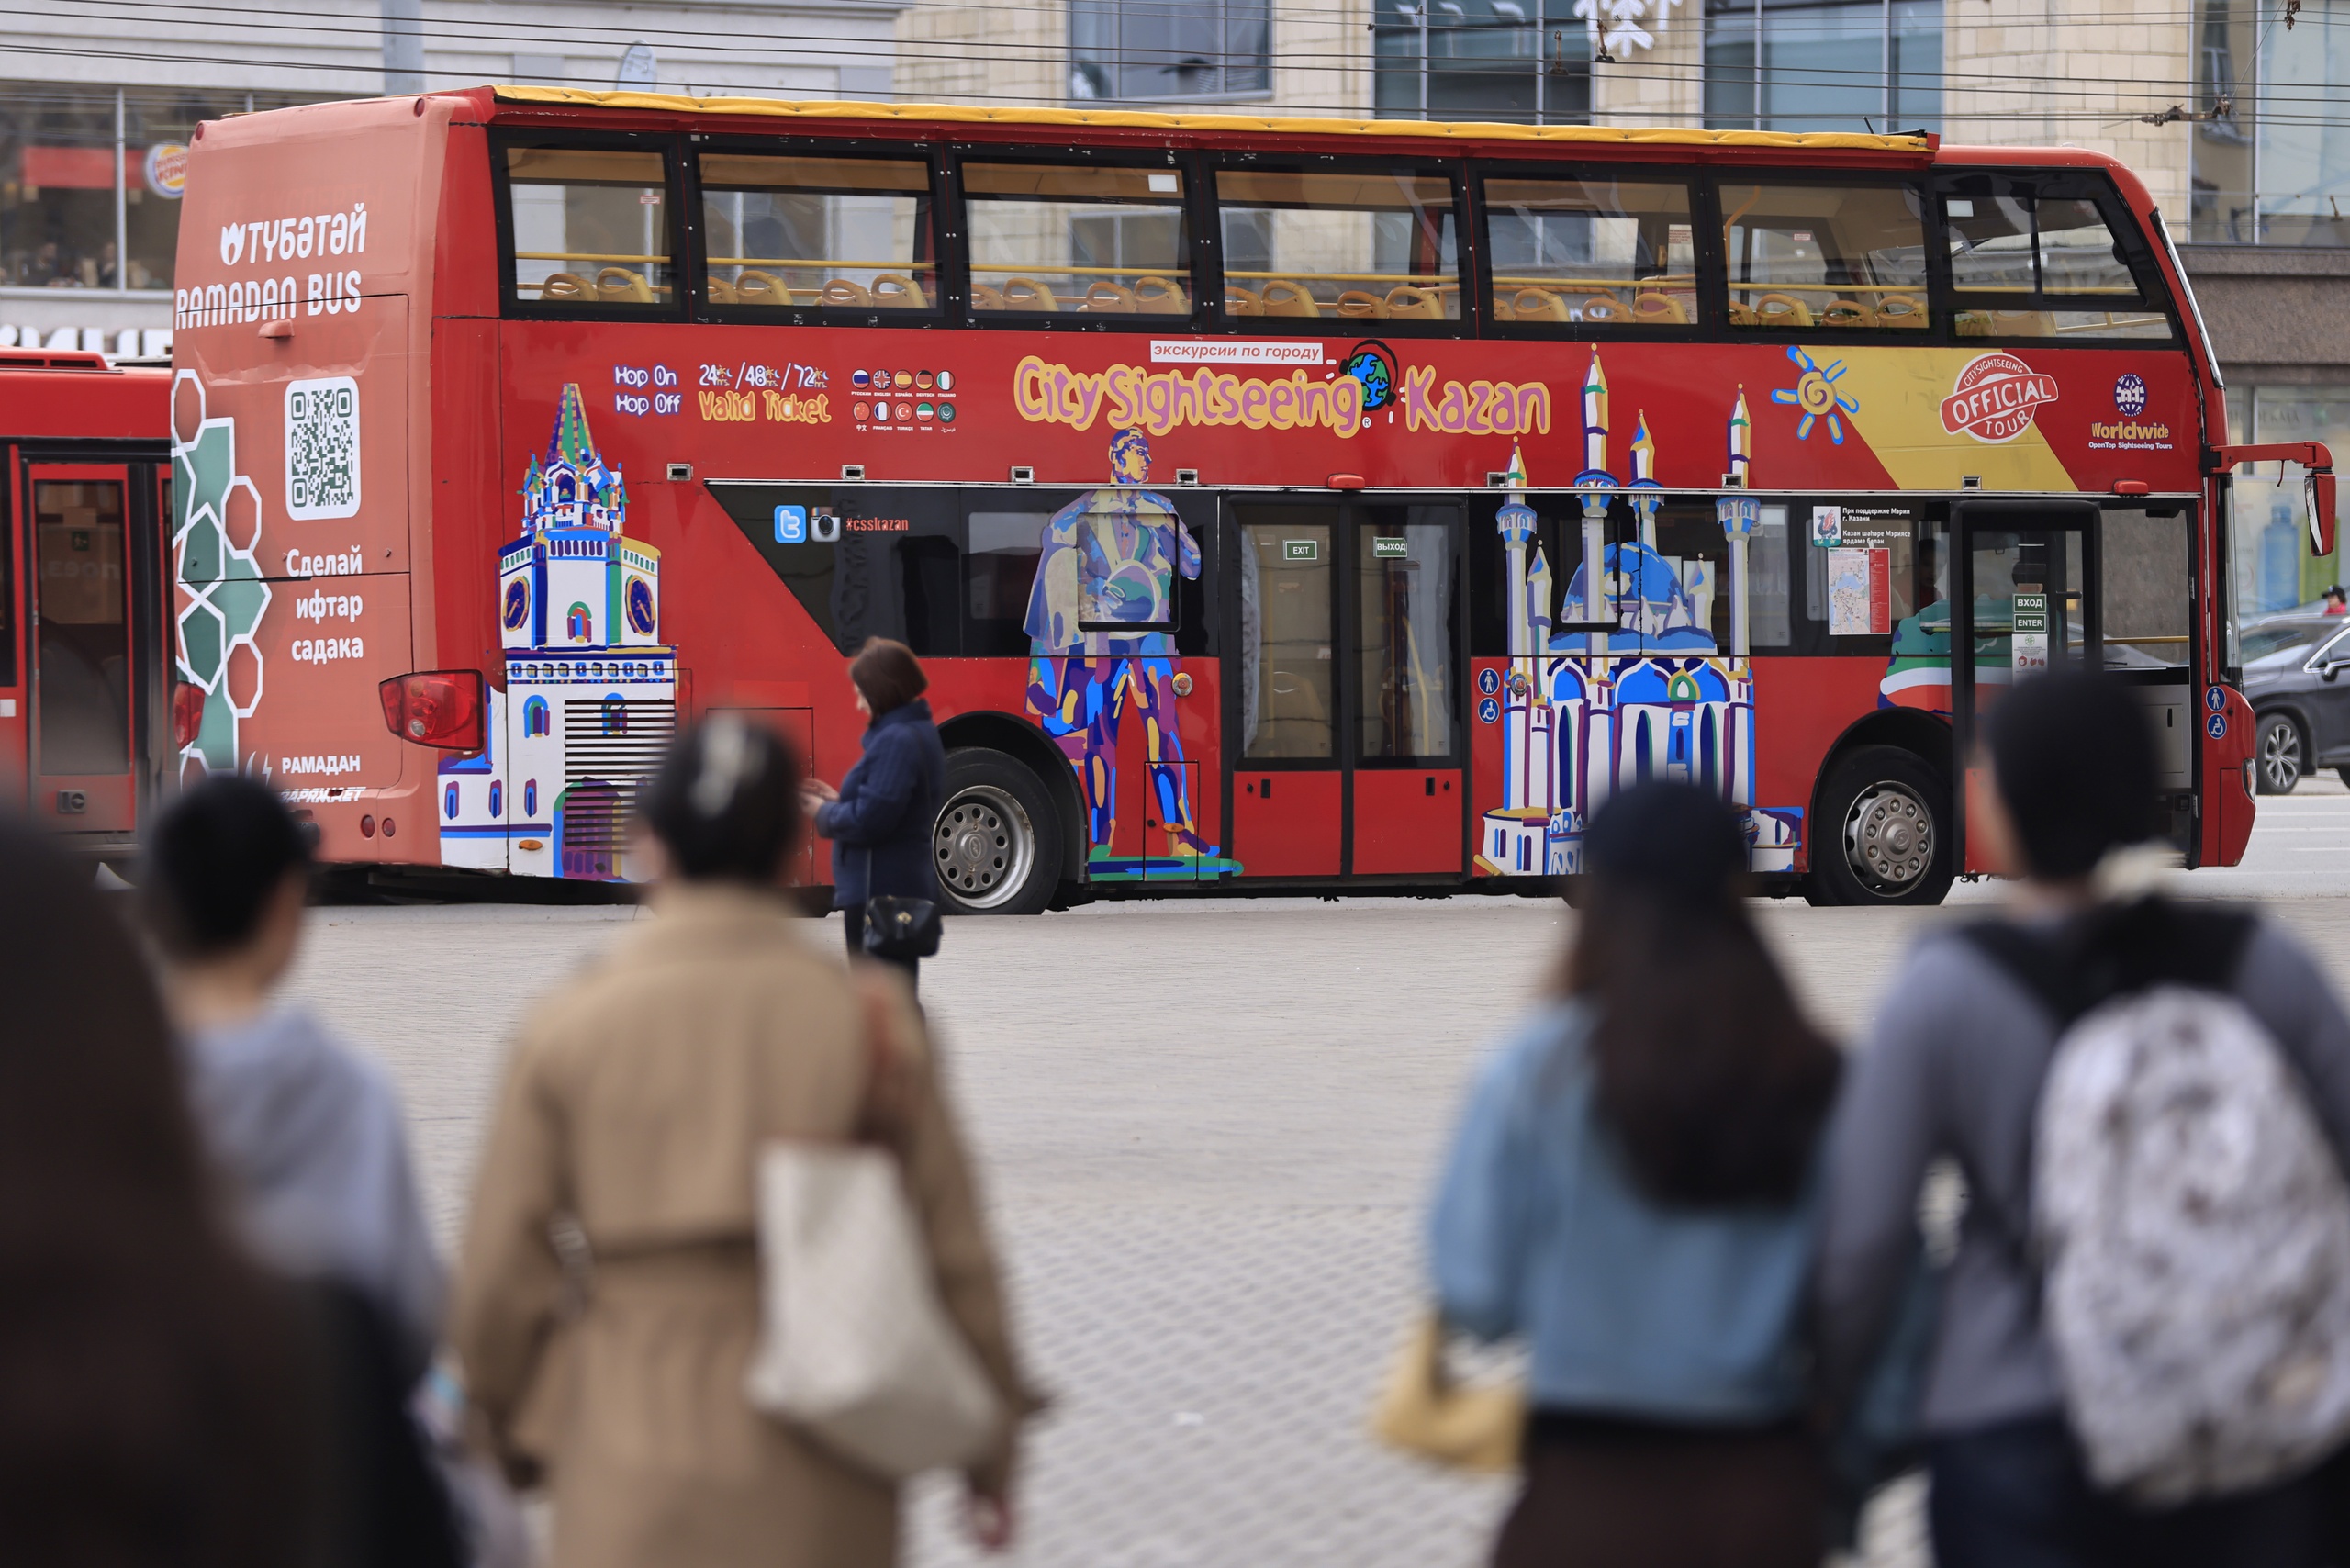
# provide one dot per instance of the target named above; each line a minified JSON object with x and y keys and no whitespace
{"x":1169,"y":48}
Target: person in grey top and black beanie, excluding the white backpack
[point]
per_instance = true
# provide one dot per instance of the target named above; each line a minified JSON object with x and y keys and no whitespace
{"x":1954,"y":1068}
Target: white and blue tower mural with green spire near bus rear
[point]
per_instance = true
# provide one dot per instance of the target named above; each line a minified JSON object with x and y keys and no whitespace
{"x":591,"y":690}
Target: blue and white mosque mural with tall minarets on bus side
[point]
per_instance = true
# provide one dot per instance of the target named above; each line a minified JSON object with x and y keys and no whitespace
{"x":1583,"y":718}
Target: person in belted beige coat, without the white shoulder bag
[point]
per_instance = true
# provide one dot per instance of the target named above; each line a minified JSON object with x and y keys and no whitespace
{"x":610,"y":1294}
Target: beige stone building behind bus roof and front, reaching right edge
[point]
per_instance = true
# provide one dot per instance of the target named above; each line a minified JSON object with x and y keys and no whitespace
{"x":2236,"y":114}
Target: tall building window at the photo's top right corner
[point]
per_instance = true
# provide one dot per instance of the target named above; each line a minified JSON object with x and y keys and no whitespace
{"x":2271,"y":163}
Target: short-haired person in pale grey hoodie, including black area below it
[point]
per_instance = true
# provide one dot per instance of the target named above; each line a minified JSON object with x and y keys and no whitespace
{"x":314,"y":1155}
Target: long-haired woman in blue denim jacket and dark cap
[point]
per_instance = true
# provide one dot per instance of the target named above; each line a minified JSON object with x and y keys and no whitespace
{"x":1634,"y":1193}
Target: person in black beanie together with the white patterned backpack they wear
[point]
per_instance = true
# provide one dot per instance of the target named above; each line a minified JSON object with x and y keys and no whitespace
{"x":2142,"y":1351}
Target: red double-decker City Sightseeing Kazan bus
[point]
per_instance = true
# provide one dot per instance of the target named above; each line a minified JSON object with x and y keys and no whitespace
{"x":1277,"y":504}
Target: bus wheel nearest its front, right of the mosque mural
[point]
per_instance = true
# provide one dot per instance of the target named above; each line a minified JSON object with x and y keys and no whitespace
{"x":1884,"y":831}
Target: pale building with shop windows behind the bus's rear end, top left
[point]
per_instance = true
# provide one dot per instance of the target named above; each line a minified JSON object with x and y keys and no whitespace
{"x":98,"y":107}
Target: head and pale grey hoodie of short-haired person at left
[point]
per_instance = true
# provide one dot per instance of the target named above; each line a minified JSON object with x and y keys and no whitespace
{"x":307,"y":1134}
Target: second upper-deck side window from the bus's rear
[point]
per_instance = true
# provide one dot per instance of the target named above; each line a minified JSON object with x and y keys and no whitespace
{"x":814,"y":232}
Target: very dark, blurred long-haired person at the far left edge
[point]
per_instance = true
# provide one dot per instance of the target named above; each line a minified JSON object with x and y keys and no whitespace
{"x":154,"y":1381}
